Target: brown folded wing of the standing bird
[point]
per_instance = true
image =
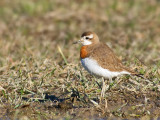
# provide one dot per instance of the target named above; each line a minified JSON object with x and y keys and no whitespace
{"x":107,"y":59}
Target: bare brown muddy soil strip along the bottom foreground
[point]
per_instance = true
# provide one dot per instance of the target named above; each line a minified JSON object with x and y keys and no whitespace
{"x":118,"y":103}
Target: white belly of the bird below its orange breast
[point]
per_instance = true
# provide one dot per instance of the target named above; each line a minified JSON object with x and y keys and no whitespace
{"x":93,"y":68}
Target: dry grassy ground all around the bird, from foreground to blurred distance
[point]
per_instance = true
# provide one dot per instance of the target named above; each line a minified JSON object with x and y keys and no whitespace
{"x":40,"y":73}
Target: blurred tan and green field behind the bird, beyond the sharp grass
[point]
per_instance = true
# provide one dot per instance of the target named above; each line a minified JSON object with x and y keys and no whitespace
{"x":34,"y":28}
